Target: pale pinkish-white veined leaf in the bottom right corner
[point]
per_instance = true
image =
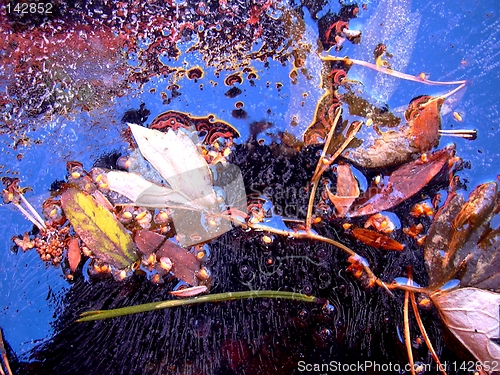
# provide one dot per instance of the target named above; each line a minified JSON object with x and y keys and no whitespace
{"x":472,"y":315}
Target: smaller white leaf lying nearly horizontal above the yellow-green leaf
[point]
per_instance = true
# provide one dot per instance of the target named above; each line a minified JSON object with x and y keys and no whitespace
{"x":143,"y":192}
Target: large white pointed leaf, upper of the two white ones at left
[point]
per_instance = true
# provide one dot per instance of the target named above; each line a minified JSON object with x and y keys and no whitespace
{"x":178,"y":160}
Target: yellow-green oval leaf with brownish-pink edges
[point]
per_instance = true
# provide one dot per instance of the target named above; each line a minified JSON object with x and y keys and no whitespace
{"x":98,"y":229}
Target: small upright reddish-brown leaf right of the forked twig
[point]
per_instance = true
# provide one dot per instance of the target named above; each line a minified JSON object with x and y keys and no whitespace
{"x":347,"y":190}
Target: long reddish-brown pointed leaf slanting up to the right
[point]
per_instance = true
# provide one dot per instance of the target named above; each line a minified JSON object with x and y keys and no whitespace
{"x":405,"y":182}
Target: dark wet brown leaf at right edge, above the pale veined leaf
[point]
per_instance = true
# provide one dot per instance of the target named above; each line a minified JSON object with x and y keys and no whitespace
{"x":461,"y":230}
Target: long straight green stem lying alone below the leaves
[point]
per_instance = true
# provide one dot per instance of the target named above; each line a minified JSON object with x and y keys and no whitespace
{"x":218,"y":297}
